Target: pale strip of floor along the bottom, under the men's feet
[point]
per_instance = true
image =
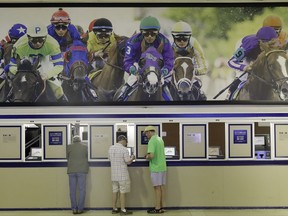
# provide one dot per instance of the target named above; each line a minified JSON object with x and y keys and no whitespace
{"x":242,"y":212}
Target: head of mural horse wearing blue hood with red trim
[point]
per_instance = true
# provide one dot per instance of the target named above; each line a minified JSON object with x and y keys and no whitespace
{"x":76,"y":63}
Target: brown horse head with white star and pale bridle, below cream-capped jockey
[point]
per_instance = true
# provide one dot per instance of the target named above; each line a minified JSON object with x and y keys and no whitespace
{"x":183,"y":75}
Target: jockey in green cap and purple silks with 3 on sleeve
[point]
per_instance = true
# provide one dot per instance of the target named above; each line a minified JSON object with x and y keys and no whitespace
{"x":149,"y":36}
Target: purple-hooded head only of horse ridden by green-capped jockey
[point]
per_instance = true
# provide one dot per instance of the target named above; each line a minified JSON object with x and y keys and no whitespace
{"x":150,"y":64}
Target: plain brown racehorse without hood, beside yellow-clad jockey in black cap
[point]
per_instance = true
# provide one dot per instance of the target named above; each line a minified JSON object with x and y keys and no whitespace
{"x":112,"y":75}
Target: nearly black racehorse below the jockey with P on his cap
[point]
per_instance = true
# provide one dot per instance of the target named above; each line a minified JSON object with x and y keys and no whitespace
{"x":27,"y":84}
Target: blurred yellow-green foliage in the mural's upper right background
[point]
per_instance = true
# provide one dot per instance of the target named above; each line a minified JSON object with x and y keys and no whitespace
{"x":219,"y":28}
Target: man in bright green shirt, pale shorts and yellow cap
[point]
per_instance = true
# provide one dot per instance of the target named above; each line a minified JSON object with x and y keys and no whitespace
{"x":157,"y":166}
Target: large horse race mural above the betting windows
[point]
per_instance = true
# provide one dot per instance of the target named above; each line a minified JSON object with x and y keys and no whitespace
{"x":143,"y":54}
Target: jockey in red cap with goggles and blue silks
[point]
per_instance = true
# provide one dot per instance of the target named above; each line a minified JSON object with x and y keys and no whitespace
{"x":62,"y":30}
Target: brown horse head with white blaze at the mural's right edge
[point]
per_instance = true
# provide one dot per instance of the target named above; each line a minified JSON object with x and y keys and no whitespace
{"x":271,"y":68}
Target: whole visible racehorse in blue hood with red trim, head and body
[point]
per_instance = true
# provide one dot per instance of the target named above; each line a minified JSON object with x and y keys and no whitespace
{"x":76,"y":85}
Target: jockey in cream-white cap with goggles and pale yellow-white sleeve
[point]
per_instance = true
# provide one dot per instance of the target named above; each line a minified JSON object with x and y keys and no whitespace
{"x":184,"y":44}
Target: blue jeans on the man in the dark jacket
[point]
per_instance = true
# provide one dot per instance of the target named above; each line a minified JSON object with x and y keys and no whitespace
{"x":77,"y":179}
